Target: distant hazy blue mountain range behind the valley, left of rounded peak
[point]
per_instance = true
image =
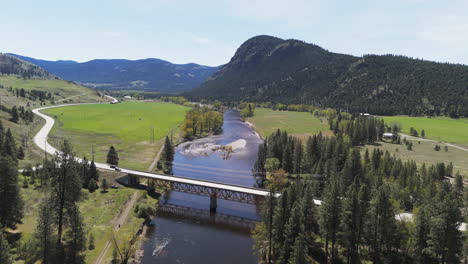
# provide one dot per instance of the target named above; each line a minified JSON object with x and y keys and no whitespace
{"x":147,"y":74}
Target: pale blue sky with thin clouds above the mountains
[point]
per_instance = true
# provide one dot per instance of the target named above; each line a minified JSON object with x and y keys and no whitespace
{"x":209,"y":32}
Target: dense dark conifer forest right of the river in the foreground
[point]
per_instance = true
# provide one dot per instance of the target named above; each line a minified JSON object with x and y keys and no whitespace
{"x":361,"y":194}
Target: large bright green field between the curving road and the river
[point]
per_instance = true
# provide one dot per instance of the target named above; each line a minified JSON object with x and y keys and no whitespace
{"x":127,"y":126}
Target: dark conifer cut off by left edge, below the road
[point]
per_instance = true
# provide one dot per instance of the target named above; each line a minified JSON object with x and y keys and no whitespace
{"x":11,"y":204}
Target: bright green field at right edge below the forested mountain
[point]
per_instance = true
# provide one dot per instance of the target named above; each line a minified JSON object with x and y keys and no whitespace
{"x":440,"y":128}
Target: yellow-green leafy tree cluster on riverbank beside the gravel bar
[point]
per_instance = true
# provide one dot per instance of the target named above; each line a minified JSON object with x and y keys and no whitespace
{"x":201,"y":121}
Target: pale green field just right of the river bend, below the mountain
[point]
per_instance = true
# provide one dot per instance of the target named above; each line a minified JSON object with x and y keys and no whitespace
{"x":299,"y":124}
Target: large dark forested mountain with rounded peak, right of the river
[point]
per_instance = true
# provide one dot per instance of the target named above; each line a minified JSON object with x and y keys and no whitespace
{"x":270,"y":69}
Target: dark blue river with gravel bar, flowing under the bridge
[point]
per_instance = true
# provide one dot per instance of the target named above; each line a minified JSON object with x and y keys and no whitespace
{"x":187,"y":238}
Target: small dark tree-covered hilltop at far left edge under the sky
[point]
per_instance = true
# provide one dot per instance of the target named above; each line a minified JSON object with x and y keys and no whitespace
{"x":12,"y":65}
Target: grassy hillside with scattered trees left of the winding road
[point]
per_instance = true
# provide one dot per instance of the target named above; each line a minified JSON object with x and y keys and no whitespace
{"x":23,"y":87}
